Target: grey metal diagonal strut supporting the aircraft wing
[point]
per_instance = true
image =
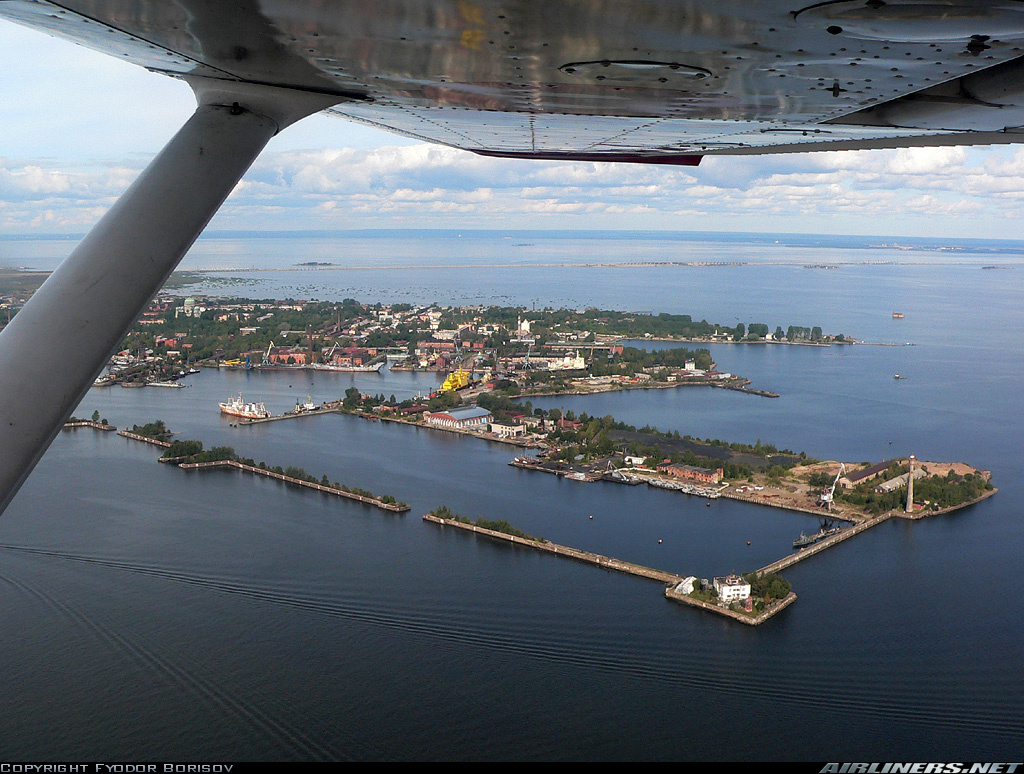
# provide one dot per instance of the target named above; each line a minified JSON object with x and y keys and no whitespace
{"x":58,"y":345}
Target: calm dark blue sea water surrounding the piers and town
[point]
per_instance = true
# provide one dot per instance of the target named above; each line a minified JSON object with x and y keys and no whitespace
{"x":154,"y":614}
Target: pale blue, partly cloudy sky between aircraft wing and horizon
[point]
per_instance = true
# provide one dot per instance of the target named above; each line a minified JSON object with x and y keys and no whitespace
{"x":76,"y":127}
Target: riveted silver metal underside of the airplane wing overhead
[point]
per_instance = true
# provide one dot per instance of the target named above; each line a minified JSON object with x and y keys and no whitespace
{"x":664,"y":81}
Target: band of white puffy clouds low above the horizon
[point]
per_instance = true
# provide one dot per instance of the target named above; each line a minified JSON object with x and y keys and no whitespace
{"x":431,"y":186}
